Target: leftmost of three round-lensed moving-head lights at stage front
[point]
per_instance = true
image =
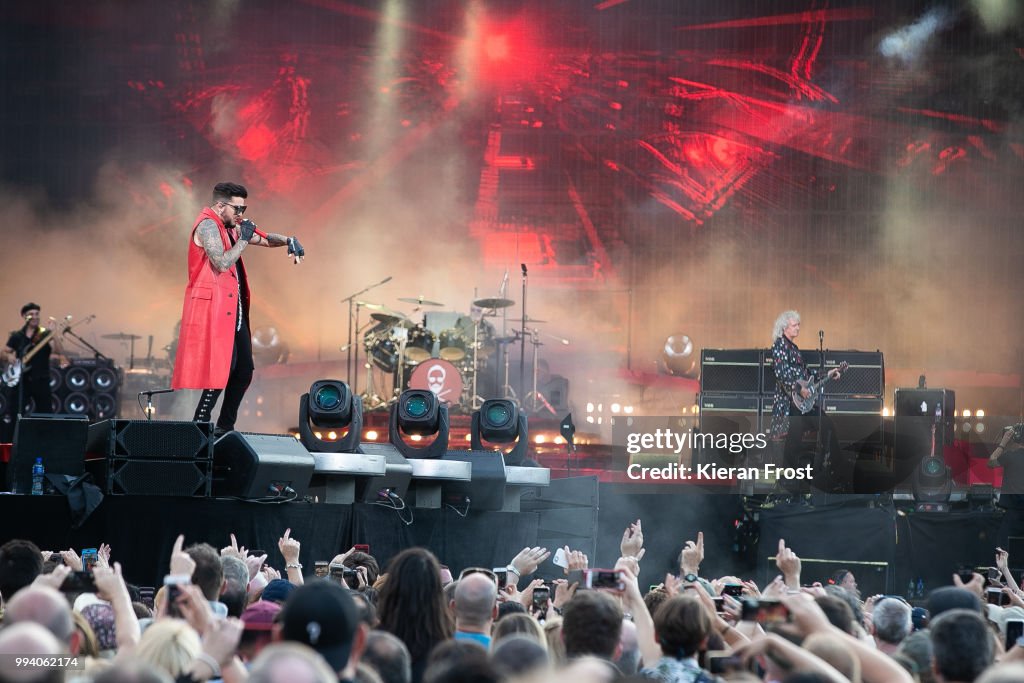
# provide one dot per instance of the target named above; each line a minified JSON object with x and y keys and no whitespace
{"x":330,"y":408}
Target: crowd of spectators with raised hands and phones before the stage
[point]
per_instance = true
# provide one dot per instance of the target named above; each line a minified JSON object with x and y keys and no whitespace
{"x":230,"y":616}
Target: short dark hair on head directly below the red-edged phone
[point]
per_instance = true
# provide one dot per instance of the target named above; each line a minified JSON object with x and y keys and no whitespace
{"x":592,"y":623}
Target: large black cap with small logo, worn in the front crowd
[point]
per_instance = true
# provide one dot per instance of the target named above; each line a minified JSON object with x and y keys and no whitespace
{"x":323,"y":616}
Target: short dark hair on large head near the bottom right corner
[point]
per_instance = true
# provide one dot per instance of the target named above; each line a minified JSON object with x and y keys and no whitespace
{"x":962,"y":645}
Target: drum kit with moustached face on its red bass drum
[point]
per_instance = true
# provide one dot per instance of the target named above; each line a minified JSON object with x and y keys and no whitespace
{"x":444,"y":352}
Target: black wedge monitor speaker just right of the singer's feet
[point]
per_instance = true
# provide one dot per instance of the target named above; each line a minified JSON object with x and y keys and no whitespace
{"x":262,"y":466}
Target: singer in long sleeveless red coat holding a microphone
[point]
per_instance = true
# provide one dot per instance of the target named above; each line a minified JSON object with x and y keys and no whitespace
{"x":215,"y":351}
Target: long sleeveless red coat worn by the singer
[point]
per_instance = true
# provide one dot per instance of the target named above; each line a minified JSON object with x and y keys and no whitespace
{"x":208,"y":318}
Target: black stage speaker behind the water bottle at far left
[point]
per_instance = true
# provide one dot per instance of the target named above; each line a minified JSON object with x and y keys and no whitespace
{"x":59,"y":440}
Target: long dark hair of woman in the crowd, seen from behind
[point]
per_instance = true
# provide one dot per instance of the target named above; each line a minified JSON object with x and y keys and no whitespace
{"x":412,"y":605}
